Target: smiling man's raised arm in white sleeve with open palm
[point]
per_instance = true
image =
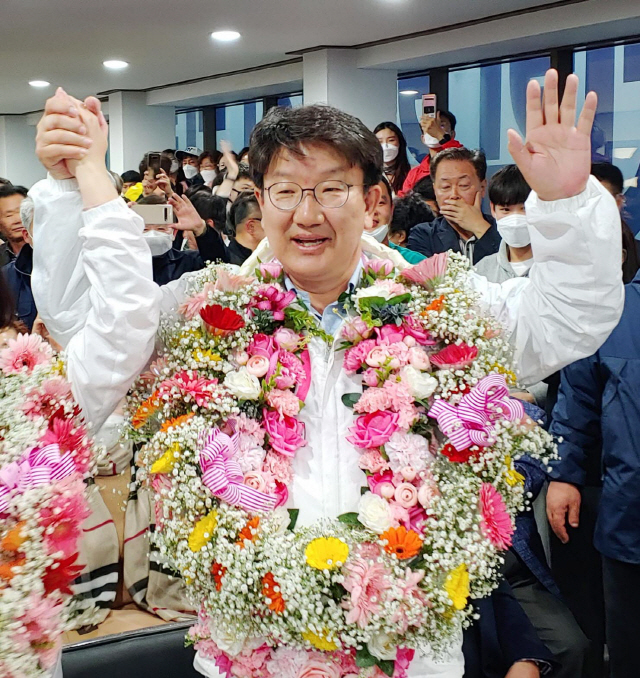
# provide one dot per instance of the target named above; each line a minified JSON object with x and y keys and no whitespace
{"x":574,"y":295}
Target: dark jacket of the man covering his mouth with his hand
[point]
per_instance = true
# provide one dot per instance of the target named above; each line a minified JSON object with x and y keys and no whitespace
{"x":439,"y":236}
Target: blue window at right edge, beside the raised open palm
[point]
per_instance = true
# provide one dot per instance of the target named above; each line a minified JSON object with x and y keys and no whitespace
{"x":614,"y":74}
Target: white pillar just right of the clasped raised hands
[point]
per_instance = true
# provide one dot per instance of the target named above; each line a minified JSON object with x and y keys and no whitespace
{"x":136,"y":128}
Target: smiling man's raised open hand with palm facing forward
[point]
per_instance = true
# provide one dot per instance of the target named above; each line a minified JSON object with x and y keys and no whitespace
{"x":555,"y":158}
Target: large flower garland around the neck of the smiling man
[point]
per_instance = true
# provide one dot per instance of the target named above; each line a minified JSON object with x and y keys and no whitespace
{"x":436,"y":434}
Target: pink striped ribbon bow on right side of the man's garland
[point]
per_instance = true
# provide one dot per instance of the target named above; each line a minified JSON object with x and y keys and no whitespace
{"x":471,"y":422}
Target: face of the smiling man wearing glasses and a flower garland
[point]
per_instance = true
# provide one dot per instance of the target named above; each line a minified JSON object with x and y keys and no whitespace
{"x":317,"y":246}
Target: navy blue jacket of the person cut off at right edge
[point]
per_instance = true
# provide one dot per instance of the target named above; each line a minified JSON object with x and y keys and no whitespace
{"x":598,"y":411}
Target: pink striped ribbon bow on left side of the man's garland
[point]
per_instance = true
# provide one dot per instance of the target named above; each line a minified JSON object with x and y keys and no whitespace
{"x":223,"y":476}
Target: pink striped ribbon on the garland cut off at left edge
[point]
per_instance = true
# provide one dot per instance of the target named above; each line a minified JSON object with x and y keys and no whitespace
{"x":40,"y":466}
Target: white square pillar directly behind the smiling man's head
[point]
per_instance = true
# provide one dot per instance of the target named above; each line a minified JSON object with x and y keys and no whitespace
{"x":331,"y":76}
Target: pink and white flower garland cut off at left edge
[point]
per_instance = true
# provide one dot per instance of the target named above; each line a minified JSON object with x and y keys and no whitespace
{"x":44,"y":456}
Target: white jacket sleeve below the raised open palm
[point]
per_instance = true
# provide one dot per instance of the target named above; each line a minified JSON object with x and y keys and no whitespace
{"x":574,"y":295}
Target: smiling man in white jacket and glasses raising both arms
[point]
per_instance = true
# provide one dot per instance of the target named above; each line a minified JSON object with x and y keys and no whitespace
{"x":92,"y":269}
